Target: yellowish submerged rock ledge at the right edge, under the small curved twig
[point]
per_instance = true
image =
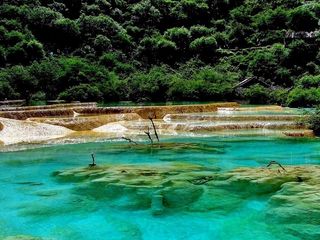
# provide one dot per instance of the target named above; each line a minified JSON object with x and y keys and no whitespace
{"x":294,"y":192}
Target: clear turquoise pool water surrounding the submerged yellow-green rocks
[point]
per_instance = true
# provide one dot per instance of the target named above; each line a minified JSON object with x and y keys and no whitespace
{"x":34,"y":203}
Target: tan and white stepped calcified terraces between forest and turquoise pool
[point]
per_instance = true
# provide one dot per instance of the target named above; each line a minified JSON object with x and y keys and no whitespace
{"x":86,"y":121}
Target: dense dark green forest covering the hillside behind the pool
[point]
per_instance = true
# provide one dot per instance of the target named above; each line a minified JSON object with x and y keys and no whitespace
{"x":161,"y":50}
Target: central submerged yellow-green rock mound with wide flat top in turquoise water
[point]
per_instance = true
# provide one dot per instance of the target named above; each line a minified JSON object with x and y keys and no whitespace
{"x":140,"y":187}
